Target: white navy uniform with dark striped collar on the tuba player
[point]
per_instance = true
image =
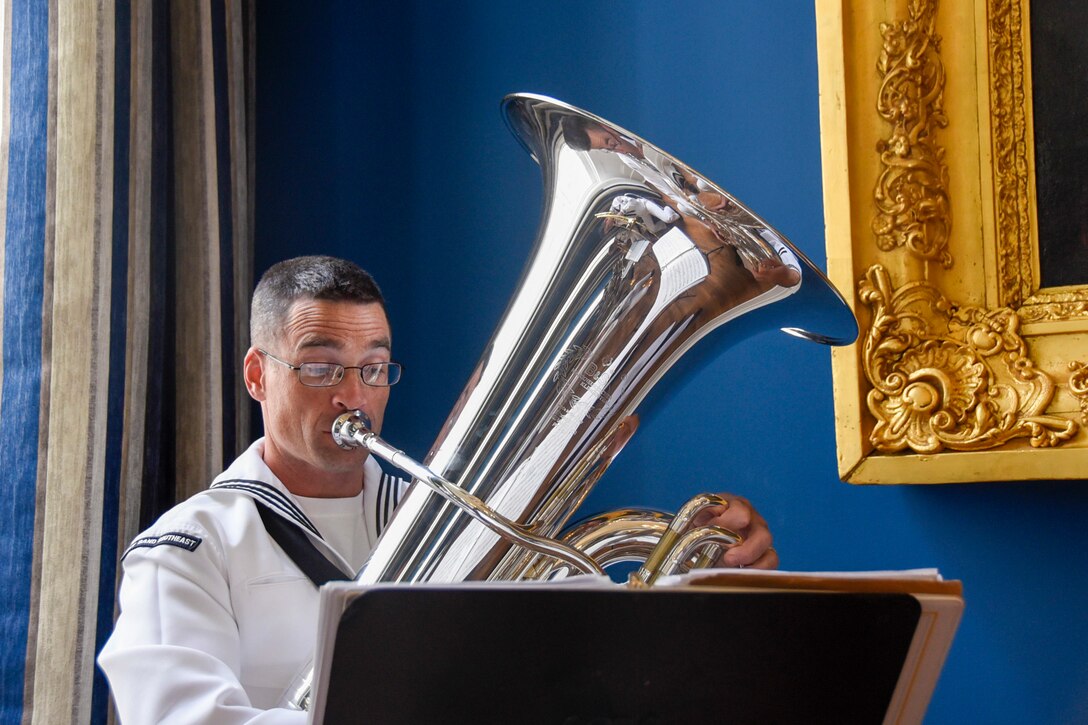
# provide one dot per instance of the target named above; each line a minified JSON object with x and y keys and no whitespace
{"x":216,"y":620}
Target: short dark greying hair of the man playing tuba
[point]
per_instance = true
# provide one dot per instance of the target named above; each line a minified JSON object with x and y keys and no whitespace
{"x":306,"y":278}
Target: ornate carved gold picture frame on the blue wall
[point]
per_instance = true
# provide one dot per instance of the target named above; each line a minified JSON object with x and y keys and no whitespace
{"x":966,"y":370}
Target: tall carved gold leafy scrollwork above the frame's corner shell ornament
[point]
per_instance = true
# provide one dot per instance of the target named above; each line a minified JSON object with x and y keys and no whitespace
{"x":912,"y":200}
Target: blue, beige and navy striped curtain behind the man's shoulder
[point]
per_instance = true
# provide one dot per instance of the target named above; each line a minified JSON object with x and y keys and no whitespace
{"x":126,"y":138}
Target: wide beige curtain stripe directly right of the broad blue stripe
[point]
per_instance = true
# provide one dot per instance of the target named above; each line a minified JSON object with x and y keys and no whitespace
{"x":76,"y":342}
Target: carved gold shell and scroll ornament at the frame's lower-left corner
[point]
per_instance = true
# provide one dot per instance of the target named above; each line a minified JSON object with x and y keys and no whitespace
{"x":950,"y":377}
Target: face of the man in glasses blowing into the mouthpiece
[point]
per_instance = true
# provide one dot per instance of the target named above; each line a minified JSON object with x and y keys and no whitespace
{"x":299,"y":420}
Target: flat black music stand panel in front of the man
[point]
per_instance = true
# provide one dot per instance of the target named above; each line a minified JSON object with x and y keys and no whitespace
{"x":565,"y":655}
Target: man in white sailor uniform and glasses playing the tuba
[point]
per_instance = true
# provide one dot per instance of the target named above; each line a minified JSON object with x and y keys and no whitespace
{"x":216,"y":619}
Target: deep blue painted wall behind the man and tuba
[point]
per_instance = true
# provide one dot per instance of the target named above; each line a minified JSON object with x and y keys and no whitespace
{"x":380,"y":140}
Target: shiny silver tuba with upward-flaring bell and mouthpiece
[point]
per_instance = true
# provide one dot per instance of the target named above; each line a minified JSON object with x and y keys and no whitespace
{"x":638,"y":259}
